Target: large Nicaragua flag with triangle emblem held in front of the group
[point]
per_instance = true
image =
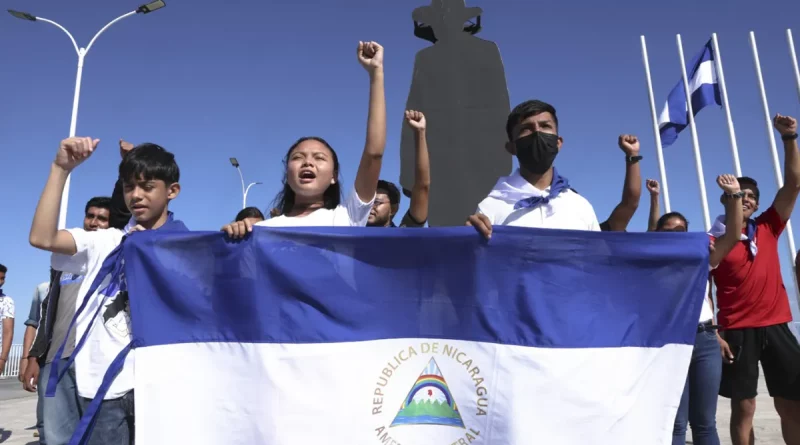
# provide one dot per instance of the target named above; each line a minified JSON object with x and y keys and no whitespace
{"x":405,"y":336}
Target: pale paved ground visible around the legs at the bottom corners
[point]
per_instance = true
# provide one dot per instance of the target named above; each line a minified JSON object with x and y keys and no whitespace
{"x":18,"y":408}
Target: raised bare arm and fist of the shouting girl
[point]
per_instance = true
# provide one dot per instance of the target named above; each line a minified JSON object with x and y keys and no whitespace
{"x":370,"y":55}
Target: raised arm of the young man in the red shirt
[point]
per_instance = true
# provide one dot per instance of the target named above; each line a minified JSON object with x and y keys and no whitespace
{"x":787,"y":195}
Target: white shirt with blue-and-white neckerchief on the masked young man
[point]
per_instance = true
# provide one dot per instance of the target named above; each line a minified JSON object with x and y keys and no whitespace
{"x":568,"y":210}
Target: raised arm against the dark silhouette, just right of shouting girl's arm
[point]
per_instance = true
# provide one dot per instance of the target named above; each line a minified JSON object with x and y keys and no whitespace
{"x":418,"y":210}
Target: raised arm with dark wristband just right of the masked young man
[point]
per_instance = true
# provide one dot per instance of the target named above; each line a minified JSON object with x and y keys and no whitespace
{"x":632,"y":188}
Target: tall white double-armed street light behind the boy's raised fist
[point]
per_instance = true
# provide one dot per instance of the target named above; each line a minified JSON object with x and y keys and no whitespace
{"x":143,"y":9}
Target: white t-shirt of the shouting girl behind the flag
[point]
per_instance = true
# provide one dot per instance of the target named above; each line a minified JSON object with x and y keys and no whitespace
{"x":352,"y":212}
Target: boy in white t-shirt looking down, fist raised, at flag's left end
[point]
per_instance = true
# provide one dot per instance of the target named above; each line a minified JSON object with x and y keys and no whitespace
{"x":150,"y":181}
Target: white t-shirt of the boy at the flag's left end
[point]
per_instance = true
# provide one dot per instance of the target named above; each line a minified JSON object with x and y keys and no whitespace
{"x":111,"y":331}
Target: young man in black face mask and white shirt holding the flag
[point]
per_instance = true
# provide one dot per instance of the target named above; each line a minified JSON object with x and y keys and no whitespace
{"x":536,"y":195}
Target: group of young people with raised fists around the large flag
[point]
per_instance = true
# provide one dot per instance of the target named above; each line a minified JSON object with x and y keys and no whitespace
{"x":753,"y":308}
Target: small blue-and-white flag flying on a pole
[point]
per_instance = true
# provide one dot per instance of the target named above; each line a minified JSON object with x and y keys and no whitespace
{"x":704,"y":86}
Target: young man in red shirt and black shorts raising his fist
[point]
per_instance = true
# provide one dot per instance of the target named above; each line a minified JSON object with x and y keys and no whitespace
{"x":754,"y":313}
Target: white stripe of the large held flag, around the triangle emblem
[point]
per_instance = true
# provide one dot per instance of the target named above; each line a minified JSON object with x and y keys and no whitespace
{"x":331,"y":393}
